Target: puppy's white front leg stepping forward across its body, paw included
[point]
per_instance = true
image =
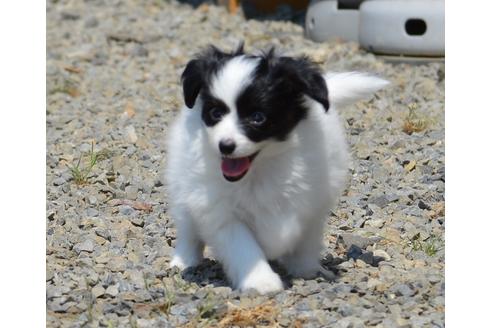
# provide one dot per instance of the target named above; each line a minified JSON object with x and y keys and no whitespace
{"x":243,"y":260}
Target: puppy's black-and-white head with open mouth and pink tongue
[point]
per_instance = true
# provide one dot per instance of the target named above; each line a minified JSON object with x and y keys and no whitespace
{"x":249,"y":101}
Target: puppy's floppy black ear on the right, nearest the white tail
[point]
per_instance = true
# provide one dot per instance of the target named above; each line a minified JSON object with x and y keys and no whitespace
{"x":305,"y":77}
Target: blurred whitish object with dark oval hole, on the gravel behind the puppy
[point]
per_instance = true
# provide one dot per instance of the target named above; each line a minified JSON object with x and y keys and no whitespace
{"x":394,"y":27}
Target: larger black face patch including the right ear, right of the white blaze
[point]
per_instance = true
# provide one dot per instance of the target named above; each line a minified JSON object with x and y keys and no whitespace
{"x":278,"y":89}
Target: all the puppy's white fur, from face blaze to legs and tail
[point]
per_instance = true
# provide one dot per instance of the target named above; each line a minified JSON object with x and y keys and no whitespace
{"x":278,"y":209}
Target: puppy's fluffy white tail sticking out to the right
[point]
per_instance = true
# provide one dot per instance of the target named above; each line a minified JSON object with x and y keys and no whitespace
{"x":349,"y":87}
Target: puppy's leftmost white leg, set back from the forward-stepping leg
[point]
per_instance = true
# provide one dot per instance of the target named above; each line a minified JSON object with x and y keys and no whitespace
{"x":189,"y":246}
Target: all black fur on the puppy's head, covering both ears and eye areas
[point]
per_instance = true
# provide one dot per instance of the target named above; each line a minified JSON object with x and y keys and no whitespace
{"x":277,"y":90}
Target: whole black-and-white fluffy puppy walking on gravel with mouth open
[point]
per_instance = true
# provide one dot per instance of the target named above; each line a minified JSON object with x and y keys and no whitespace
{"x":256,"y":162}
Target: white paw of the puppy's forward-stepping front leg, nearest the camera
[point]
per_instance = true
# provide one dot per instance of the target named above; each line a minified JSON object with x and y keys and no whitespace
{"x":263,"y":280}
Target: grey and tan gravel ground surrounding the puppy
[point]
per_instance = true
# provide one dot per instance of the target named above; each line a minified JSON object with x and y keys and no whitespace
{"x":113,"y":72}
